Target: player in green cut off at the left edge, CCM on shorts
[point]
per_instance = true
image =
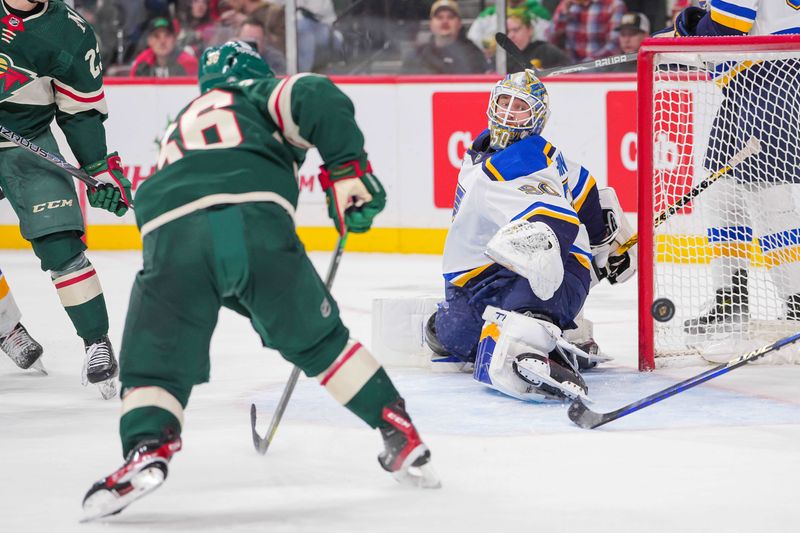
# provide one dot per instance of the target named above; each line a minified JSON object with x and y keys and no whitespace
{"x":50,"y":69}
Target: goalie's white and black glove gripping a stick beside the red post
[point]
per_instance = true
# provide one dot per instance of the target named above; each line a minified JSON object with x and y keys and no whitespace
{"x":609,"y":262}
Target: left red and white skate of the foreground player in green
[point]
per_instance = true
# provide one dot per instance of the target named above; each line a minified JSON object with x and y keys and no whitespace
{"x":144,"y":470}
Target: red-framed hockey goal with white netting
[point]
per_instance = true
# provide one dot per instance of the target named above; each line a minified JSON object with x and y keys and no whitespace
{"x":699,"y":100}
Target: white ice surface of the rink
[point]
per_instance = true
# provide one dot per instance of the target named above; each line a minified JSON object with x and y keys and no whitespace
{"x":723,"y":457}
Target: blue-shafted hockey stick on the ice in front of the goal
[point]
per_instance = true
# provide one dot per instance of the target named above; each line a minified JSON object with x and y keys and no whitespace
{"x":588,"y":419}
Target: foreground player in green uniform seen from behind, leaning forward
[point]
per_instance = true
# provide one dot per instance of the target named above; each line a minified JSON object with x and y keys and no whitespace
{"x":217,"y":227}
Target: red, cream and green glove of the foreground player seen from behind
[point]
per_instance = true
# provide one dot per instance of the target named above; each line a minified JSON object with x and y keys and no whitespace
{"x":354,"y":195}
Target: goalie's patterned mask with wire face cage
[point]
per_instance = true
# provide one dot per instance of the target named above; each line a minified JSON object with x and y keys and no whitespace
{"x":518,"y":108}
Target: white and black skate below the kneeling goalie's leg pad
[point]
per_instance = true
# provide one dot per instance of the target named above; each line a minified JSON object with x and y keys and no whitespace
{"x":550,"y":378}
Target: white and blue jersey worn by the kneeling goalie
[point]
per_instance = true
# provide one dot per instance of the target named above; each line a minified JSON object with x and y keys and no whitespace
{"x":531,"y":180}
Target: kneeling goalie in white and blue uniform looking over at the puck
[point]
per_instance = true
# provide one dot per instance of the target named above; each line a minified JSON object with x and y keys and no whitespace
{"x":531,"y":232}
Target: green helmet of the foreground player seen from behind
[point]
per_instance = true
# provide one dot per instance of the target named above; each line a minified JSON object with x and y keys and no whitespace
{"x":230,"y":62}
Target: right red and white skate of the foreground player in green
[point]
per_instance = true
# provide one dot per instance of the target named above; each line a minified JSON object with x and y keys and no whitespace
{"x":405,"y":456}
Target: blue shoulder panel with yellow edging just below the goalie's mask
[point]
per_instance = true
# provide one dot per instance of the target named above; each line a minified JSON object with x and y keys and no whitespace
{"x":522,"y":158}
